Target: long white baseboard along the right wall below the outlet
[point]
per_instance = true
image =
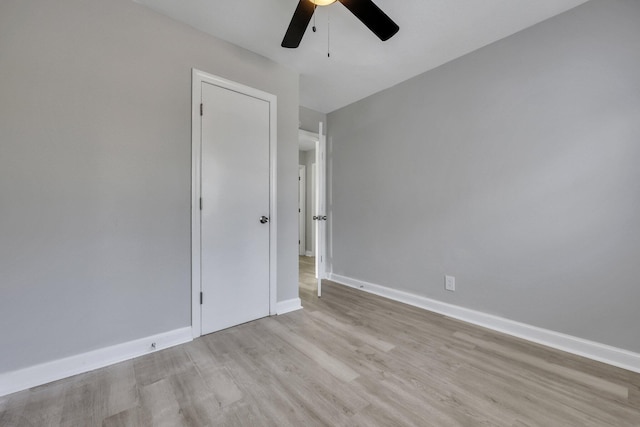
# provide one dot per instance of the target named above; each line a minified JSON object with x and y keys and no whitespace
{"x":590,"y":349}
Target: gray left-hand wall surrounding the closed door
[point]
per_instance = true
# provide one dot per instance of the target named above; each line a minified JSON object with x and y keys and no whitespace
{"x":95,"y":172}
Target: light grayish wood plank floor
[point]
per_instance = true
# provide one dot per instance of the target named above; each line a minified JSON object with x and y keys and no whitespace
{"x":347,"y":359}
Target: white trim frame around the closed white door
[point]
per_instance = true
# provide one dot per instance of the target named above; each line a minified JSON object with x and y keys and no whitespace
{"x":199,"y":78}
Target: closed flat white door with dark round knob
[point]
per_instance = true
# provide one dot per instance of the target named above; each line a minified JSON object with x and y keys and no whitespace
{"x":235,"y":188}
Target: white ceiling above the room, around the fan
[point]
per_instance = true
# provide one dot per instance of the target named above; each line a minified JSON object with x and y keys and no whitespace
{"x":432,"y":32}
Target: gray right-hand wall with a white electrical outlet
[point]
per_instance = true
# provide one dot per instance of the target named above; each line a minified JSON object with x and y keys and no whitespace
{"x":514,"y":168}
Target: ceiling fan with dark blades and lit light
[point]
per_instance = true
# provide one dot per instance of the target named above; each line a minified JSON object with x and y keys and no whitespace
{"x":365,"y":10}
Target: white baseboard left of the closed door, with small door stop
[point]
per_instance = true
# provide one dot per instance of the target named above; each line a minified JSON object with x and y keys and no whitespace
{"x":11,"y":382}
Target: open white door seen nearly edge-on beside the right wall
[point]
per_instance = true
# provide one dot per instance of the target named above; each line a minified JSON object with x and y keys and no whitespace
{"x":320,"y":214}
